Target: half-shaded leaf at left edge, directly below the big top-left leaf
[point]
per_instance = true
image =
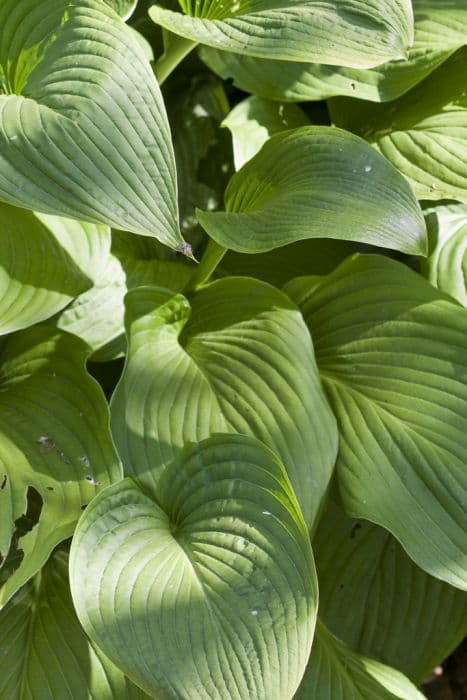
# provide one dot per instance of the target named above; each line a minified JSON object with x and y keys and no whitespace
{"x":45,"y":262}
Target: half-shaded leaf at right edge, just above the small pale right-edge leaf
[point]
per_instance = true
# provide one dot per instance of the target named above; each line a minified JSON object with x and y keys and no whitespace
{"x":422,"y":133}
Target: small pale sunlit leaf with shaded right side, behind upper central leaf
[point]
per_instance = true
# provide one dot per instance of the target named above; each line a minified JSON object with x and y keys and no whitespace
{"x":254,"y":120}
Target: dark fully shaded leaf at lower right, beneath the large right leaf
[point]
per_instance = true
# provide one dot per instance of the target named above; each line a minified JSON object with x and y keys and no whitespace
{"x":376,"y":600}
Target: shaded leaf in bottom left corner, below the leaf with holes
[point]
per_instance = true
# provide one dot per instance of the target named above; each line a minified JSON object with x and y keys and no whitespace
{"x":45,"y":652}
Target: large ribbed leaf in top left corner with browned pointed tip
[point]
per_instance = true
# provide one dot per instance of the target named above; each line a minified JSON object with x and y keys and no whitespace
{"x":83,"y":128}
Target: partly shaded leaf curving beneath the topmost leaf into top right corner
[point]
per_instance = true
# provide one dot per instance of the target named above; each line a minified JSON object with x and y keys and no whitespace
{"x":439,"y":31}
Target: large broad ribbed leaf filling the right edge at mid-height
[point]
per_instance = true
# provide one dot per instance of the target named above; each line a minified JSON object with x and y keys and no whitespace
{"x":391,"y":353}
